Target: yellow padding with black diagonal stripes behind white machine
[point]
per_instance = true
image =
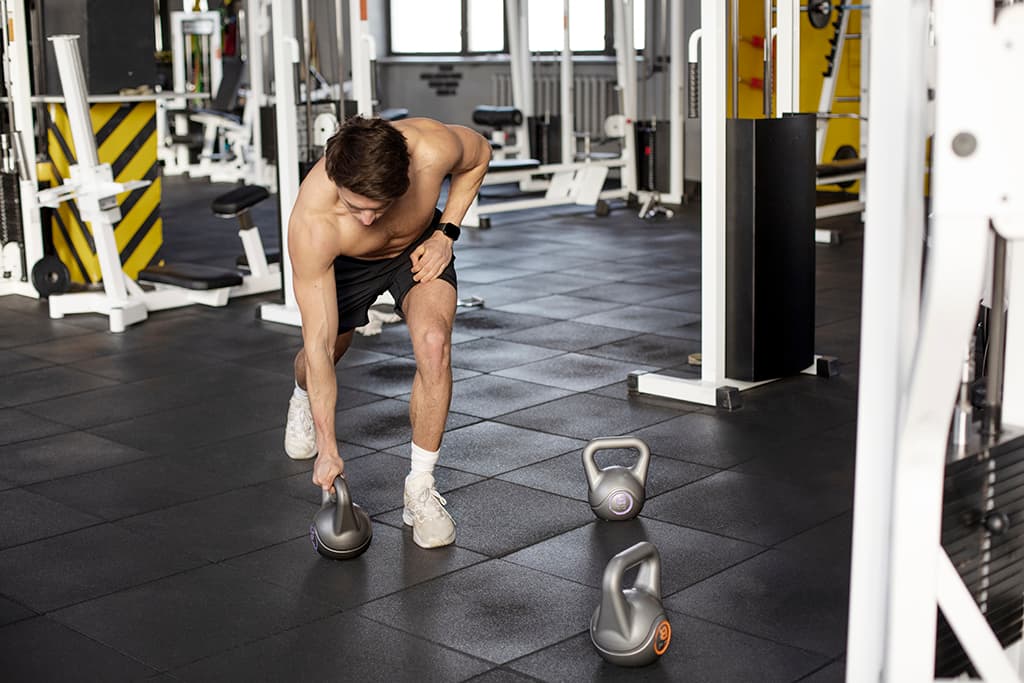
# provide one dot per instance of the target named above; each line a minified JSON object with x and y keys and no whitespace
{"x":126,"y":139}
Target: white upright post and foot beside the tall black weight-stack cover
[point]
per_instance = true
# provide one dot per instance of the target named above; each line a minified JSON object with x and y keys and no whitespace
{"x":713,"y":387}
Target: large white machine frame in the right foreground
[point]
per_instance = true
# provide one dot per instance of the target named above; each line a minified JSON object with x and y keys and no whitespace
{"x":914,"y":334}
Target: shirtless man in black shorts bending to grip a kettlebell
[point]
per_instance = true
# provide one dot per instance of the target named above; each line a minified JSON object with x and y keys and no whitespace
{"x":366,"y":223}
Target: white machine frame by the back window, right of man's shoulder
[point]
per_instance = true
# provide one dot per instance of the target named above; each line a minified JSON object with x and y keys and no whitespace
{"x":571,"y":182}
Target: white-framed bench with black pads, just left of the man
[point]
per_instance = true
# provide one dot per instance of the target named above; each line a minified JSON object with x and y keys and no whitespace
{"x":219,"y":285}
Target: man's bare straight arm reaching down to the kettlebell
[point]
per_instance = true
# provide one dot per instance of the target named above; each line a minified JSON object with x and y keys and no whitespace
{"x":313,"y":277}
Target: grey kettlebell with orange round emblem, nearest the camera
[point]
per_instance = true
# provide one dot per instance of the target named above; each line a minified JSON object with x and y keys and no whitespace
{"x":630,"y":628}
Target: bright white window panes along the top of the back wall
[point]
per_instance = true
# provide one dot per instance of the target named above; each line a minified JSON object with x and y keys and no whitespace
{"x":485,"y":26}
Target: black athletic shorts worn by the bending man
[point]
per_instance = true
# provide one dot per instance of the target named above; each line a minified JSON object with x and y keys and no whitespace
{"x":361,"y":281}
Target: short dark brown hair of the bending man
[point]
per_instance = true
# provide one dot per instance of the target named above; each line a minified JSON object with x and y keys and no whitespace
{"x":369,"y":157}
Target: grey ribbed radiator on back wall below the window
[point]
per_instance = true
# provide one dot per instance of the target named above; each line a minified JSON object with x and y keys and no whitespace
{"x":594,"y":99}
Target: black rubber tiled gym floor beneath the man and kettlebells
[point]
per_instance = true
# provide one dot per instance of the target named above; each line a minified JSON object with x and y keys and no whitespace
{"x":153,"y":527}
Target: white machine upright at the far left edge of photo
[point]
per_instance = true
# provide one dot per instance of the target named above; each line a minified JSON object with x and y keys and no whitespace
{"x":17,"y":282}
